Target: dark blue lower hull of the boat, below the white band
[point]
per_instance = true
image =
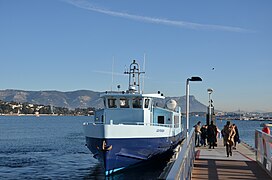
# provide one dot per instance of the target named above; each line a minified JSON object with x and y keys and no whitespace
{"x":130,"y":151}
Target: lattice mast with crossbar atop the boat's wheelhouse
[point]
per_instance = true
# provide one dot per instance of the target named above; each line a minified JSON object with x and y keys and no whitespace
{"x":134,"y":77}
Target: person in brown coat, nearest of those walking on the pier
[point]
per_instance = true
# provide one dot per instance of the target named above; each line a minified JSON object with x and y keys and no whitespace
{"x":228,"y":133}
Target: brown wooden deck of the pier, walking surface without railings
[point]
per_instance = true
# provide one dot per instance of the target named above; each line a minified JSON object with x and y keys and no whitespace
{"x":214,"y":164}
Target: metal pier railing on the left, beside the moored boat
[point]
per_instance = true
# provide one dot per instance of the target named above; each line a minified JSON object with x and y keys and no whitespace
{"x":183,"y":166}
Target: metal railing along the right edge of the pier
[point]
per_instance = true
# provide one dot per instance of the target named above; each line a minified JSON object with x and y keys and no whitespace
{"x":263,"y":146}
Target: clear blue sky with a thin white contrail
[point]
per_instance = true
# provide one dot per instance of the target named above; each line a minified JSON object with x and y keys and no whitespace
{"x":69,"y":45}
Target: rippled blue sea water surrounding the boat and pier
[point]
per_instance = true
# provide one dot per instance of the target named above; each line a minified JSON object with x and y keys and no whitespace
{"x":54,"y":148}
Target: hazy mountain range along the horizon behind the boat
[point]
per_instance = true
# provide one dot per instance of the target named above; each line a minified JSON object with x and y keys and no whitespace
{"x":81,"y":99}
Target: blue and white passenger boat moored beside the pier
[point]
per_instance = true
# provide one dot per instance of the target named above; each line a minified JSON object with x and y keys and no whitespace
{"x":132,"y":128}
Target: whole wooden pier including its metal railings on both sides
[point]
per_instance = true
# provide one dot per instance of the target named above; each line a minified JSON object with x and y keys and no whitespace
{"x":203,"y":163}
